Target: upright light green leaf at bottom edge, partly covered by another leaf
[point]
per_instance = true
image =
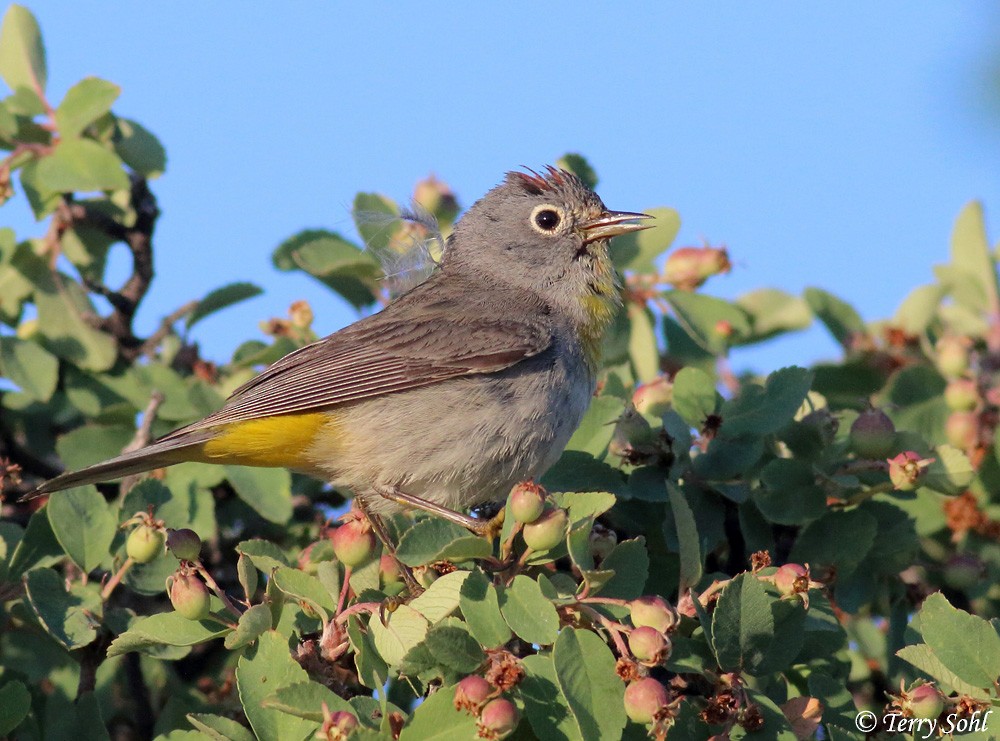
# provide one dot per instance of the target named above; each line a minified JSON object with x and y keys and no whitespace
{"x":261,"y":672}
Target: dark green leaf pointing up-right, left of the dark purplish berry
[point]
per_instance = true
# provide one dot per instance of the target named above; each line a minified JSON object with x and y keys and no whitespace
{"x":764,"y":411}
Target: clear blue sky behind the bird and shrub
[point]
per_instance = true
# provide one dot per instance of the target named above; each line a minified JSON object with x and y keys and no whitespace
{"x":826,"y":145}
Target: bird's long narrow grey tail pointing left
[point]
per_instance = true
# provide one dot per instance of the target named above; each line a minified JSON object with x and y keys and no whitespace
{"x":176,"y":448}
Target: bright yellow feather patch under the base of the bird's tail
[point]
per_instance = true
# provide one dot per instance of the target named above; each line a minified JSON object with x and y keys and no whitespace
{"x":279,"y":442}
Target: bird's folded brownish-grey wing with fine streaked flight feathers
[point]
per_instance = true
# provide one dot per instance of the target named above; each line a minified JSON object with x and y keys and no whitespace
{"x":380,"y":355}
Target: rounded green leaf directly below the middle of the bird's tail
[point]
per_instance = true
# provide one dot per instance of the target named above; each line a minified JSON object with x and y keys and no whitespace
{"x":83,"y":524}
